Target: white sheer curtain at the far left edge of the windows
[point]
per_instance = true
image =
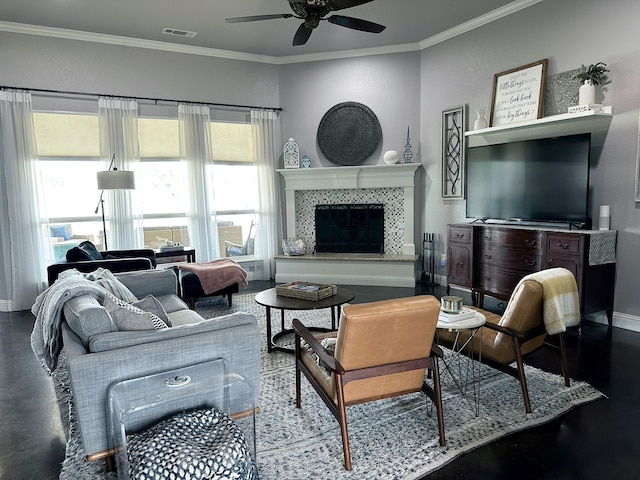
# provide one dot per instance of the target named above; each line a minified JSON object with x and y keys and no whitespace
{"x":22,"y":247}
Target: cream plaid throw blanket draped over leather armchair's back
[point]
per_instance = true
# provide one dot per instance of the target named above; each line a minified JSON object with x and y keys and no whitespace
{"x":561,"y":305}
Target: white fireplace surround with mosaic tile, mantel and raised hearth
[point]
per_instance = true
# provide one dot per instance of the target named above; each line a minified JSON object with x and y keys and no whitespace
{"x":391,"y":185}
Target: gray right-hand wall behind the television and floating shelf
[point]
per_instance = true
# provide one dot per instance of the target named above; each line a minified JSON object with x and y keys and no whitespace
{"x":568,"y":33}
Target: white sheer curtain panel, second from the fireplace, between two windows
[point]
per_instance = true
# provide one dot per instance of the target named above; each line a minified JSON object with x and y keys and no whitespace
{"x":195,"y":150}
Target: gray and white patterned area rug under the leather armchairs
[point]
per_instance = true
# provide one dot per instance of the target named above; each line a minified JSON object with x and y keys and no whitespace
{"x":390,"y":439}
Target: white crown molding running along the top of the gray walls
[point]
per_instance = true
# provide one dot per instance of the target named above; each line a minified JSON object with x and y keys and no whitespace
{"x":78,"y":35}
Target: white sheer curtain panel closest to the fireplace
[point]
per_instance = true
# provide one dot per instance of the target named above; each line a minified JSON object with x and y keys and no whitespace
{"x":266,"y":144}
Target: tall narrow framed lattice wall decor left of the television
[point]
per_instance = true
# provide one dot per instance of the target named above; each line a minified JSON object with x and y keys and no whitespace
{"x":453,"y":152}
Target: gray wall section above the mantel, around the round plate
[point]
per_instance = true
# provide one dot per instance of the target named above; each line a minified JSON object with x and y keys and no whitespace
{"x":389,"y":85}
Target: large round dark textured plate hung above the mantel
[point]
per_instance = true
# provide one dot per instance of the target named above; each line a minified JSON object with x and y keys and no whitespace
{"x":349,"y":133}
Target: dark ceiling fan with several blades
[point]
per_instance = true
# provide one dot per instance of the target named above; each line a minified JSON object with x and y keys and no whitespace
{"x":312,"y":12}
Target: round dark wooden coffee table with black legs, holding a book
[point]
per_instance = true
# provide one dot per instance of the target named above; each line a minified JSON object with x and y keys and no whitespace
{"x":269,"y":299}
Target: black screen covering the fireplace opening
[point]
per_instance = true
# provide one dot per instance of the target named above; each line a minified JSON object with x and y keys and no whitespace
{"x":350,"y":228}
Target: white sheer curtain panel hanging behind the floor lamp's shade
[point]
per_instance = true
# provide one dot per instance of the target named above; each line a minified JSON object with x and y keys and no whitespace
{"x":119,"y":136}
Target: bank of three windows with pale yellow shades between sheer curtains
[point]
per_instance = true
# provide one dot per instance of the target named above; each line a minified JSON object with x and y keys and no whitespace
{"x":68,"y":147}
